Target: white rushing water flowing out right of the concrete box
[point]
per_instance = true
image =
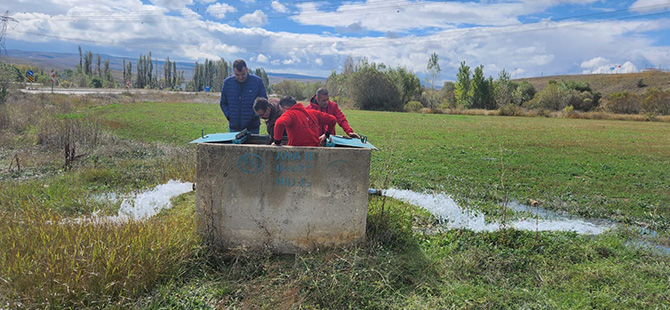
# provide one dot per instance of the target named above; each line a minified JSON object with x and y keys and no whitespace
{"x":446,"y":210}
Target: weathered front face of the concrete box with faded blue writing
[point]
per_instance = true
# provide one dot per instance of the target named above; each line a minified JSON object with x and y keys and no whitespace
{"x":287,"y":199}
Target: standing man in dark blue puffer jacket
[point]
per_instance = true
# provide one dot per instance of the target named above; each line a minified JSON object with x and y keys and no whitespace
{"x":237,"y":98}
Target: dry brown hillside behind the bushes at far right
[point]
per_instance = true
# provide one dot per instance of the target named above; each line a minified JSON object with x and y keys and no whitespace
{"x":607,"y":84}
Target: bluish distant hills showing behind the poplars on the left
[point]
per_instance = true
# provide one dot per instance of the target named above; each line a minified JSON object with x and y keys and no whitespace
{"x":62,"y":61}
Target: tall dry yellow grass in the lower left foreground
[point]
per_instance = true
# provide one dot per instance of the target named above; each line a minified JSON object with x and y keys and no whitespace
{"x":48,"y":261}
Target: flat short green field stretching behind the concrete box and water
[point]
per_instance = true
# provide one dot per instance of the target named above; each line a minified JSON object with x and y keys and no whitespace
{"x":594,"y":168}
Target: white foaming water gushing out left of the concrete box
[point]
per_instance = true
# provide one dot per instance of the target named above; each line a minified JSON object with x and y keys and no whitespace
{"x":145,"y":204}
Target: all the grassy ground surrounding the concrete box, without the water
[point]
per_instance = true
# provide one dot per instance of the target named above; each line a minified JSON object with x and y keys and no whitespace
{"x":595,"y":169}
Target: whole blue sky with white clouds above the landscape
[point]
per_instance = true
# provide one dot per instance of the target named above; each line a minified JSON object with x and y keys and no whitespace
{"x":525,"y":37}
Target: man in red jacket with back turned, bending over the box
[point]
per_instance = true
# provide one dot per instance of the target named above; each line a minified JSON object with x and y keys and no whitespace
{"x":304,"y":127}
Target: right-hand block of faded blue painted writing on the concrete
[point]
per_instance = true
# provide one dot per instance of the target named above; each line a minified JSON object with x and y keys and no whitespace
{"x":294,"y":168}
